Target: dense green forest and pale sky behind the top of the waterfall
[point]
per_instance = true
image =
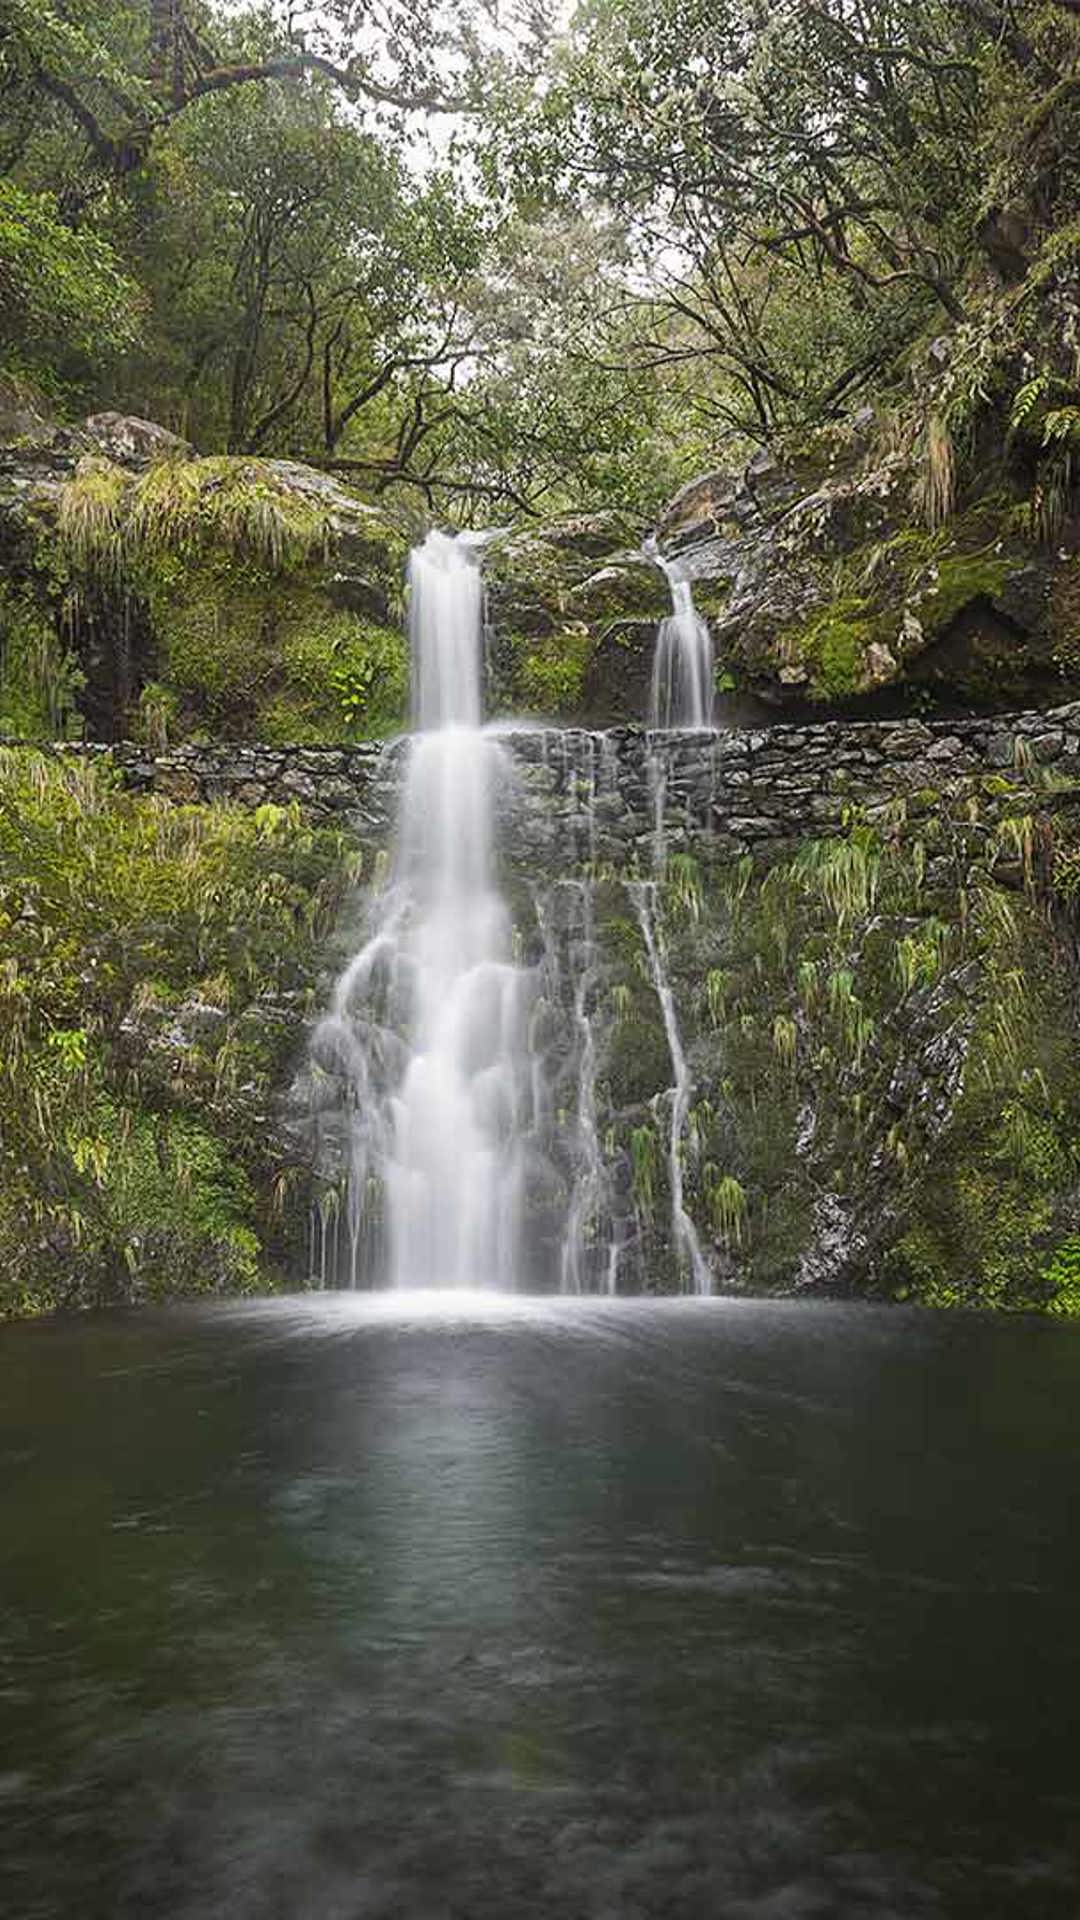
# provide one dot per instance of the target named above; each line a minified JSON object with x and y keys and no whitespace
{"x":518,"y":262}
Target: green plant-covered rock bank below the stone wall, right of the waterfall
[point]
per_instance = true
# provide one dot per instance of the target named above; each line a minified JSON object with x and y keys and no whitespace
{"x":896,"y":1049}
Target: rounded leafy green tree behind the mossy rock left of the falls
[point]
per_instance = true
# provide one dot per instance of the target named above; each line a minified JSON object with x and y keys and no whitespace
{"x":303,"y":277}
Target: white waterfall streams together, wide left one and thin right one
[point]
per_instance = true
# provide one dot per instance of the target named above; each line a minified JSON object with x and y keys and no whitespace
{"x":441,"y":1120}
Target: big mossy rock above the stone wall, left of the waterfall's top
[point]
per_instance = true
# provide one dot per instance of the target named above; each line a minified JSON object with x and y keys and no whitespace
{"x":249,"y":596}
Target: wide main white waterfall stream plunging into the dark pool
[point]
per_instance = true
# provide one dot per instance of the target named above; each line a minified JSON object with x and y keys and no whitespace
{"x":430,"y":1022}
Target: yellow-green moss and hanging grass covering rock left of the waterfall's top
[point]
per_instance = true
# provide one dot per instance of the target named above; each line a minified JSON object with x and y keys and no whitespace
{"x":239,"y":575}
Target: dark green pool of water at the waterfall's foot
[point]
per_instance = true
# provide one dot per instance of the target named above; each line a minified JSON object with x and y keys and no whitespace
{"x":552,"y":1610}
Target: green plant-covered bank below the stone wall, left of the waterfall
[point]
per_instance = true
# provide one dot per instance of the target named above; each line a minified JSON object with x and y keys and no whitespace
{"x":135,"y":1153}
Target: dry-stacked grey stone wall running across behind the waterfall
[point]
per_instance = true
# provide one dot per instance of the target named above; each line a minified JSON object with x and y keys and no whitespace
{"x":606,"y":798}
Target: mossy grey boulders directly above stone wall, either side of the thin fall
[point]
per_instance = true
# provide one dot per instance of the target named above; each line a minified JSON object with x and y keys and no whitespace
{"x":823,"y":587}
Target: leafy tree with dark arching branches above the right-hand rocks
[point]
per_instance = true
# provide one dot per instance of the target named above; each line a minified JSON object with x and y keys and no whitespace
{"x":802,"y":181}
